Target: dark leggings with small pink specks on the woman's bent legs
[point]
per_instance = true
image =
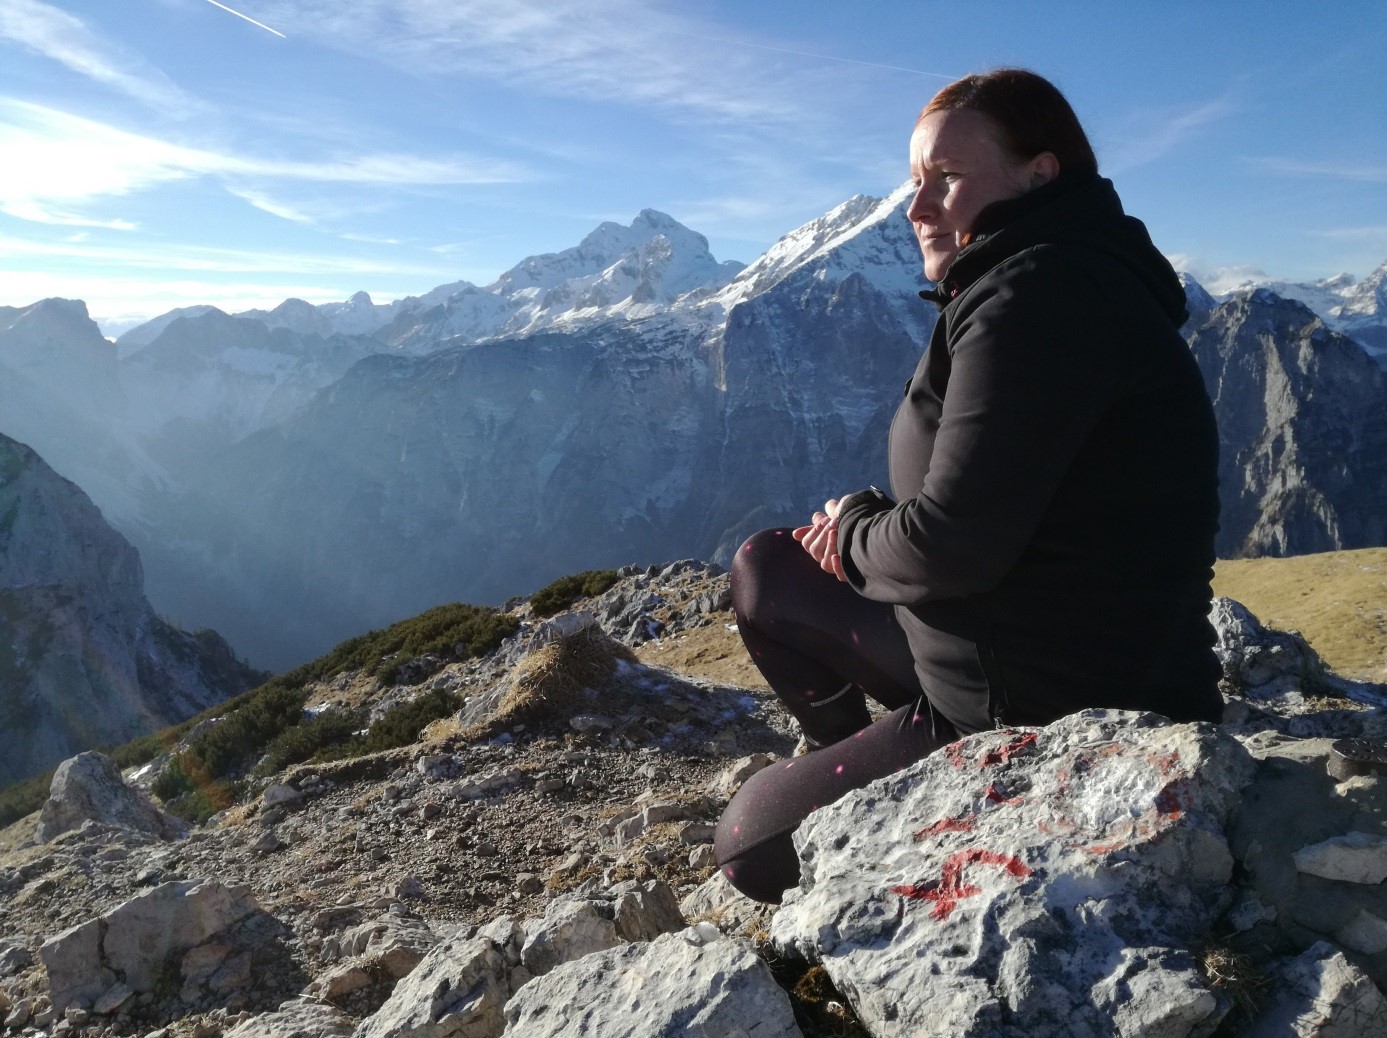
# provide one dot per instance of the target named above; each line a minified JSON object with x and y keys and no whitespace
{"x":823,"y":649}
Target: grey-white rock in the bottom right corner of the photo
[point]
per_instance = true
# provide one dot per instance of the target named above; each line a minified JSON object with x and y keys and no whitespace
{"x":1323,"y":996}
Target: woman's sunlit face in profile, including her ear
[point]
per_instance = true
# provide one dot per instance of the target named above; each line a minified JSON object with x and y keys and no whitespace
{"x":959,"y":167}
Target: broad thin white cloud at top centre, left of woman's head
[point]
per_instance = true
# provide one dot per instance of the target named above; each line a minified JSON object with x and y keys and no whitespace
{"x":628,"y":52}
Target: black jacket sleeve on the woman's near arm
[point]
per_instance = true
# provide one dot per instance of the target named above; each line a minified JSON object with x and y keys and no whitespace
{"x":1033,"y":373}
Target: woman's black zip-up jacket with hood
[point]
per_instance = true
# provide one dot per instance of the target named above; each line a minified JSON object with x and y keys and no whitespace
{"x":1055,"y":460}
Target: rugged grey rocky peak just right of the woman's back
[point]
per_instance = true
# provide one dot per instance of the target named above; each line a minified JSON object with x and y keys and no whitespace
{"x":1302,"y":428}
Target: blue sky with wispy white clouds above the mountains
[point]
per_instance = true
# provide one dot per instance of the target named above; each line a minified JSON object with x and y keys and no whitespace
{"x":169,"y":152}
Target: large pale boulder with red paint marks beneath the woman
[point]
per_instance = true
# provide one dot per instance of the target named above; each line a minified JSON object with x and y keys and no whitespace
{"x":940,"y":899}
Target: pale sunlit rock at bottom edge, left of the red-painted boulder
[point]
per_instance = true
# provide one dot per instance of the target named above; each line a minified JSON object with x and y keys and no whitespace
{"x":673,"y":987}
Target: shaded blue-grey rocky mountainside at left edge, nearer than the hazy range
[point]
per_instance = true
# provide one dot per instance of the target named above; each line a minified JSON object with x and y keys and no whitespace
{"x":84,"y":660}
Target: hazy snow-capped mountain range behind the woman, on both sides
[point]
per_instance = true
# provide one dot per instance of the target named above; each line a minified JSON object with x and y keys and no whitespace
{"x":296,"y":477}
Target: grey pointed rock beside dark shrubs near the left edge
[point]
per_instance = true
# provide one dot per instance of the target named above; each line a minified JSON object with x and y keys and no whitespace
{"x":88,"y":788}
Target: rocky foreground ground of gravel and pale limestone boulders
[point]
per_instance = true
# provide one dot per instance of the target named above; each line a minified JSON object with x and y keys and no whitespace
{"x":1106,"y":875}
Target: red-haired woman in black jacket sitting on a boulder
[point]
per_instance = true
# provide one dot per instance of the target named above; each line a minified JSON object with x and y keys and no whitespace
{"x":1055,"y":470}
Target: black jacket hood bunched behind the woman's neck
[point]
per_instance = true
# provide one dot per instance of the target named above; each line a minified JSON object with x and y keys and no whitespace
{"x":1078,"y":210}
